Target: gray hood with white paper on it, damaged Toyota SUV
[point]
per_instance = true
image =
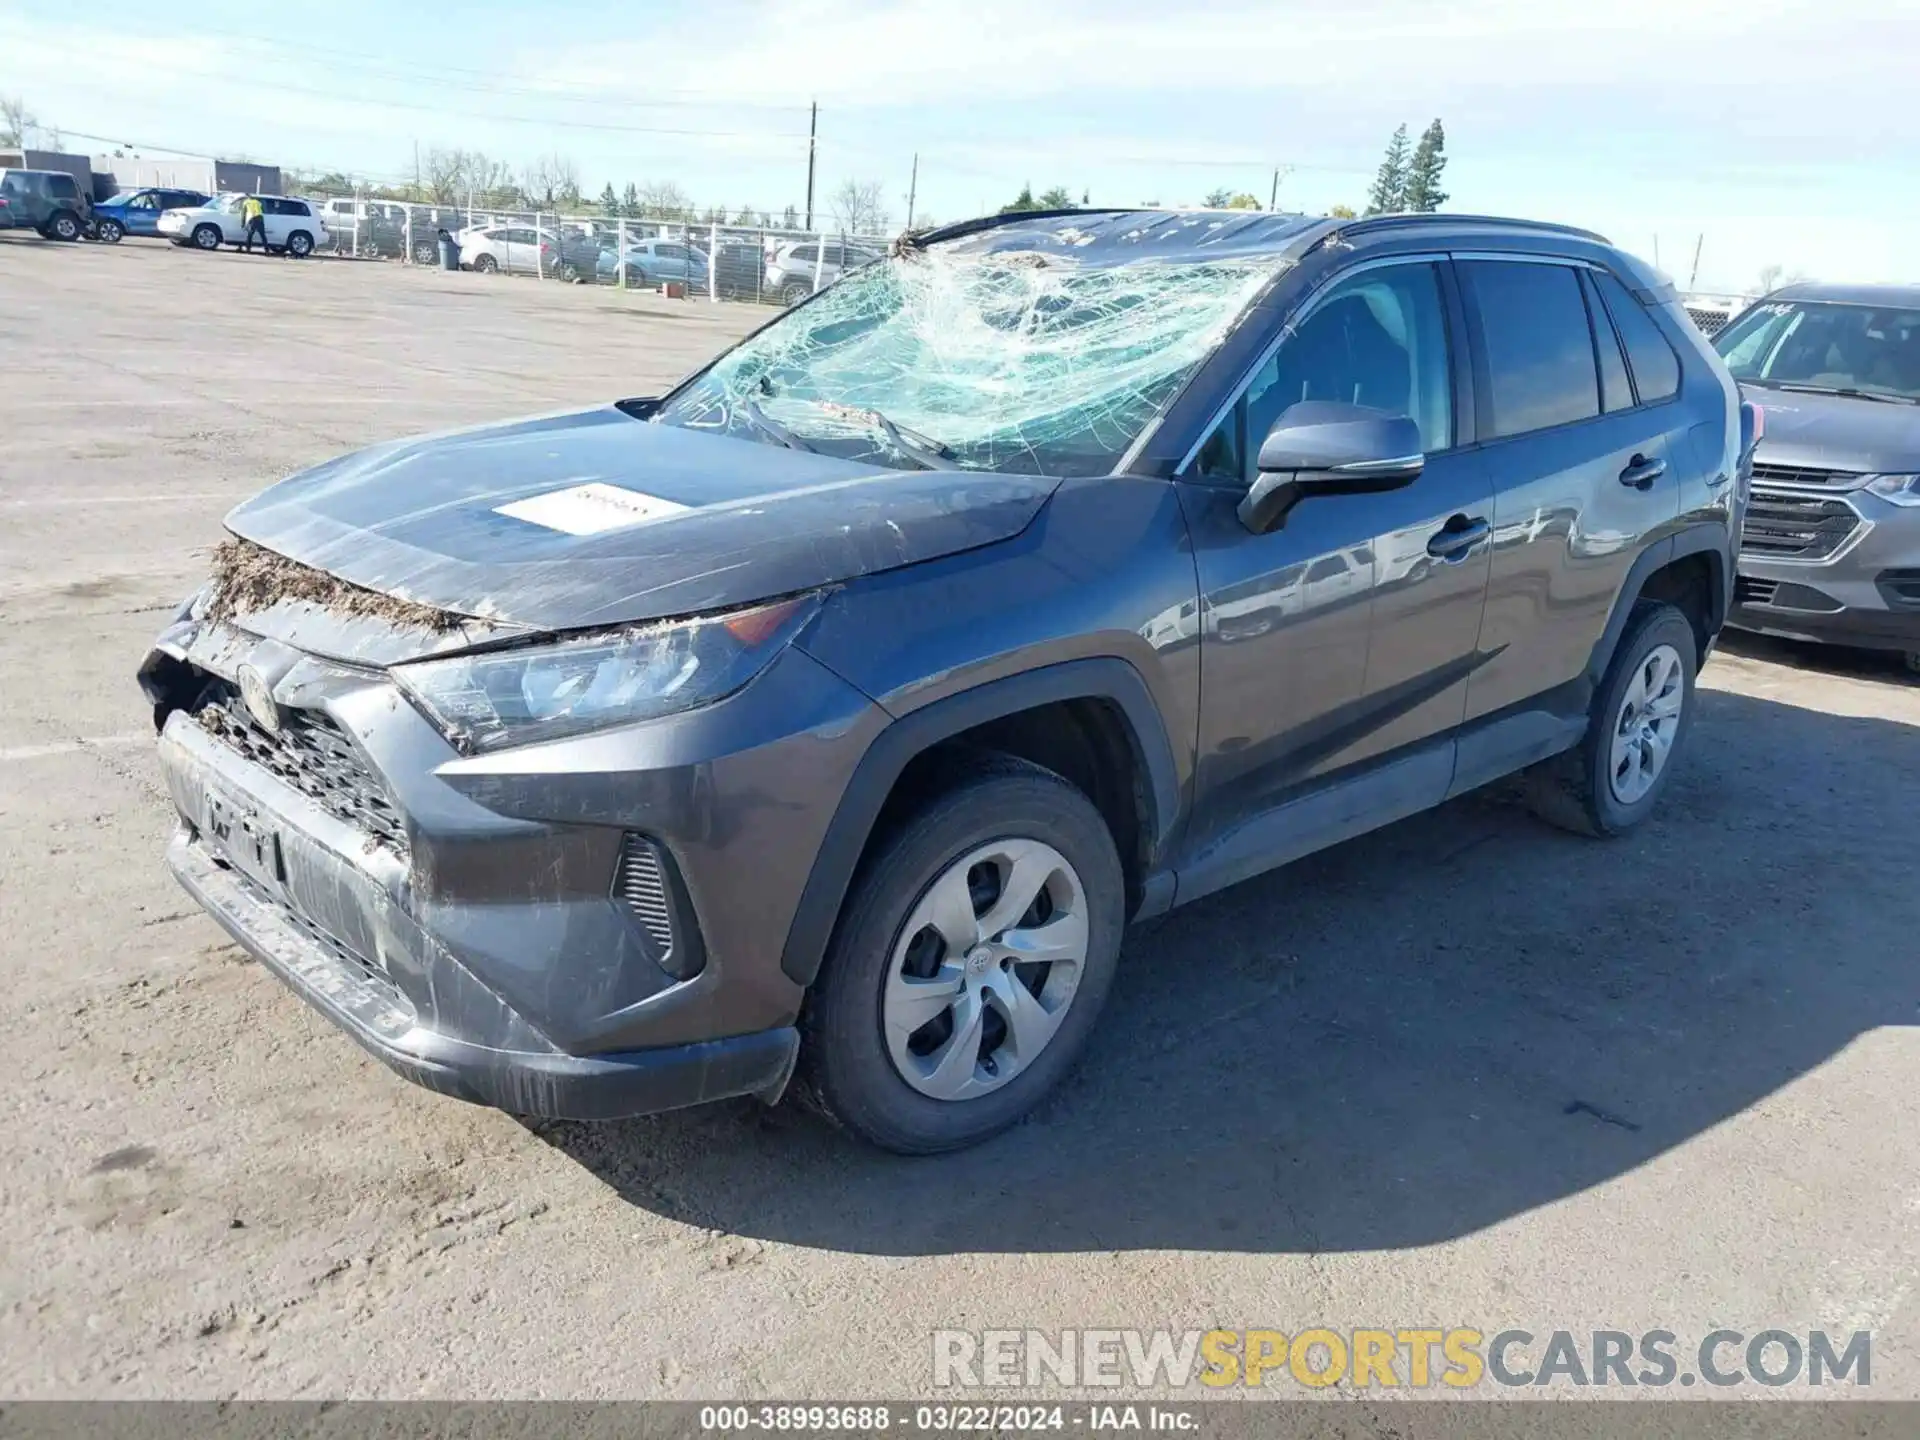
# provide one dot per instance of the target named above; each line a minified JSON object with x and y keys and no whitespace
{"x":617,"y":519}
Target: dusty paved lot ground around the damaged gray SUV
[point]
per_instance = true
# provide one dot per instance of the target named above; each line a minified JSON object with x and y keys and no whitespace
{"x":1462,"y":1072}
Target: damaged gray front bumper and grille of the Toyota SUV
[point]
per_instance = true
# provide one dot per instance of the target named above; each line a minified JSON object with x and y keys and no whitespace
{"x":471,"y":923}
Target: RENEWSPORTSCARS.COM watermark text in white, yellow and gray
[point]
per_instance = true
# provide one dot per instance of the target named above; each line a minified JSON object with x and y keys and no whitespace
{"x":1399,"y":1358}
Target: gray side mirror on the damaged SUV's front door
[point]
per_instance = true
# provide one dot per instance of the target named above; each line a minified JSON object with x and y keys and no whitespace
{"x":1330,"y":448}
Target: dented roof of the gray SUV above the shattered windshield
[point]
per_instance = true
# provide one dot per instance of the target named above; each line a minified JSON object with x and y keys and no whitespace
{"x":1118,"y":237}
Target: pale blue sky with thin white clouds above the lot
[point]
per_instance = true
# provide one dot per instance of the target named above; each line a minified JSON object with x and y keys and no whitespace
{"x":1762,"y":133}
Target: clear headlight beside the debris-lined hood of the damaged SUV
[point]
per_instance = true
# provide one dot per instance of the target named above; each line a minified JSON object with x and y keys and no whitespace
{"x":492,"y":700}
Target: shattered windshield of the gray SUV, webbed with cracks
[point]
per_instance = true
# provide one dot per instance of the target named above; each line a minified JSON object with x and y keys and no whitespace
{"x":1022,"y":362}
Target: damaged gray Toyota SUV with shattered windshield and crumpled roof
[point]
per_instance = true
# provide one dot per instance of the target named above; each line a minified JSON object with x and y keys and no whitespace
{"x":827,"y":719}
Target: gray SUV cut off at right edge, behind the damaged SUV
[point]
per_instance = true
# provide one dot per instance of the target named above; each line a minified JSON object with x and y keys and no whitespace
{"x":1833,"y":540}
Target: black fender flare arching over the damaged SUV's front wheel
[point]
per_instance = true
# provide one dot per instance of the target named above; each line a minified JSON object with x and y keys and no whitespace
{"x":1099,"y":679}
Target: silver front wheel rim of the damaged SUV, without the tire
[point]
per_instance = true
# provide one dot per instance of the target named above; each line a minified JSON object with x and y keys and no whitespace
{"x":986,"y":969}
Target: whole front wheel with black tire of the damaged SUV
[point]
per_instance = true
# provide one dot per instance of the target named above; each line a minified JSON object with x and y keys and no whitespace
{"x":971,"y":963}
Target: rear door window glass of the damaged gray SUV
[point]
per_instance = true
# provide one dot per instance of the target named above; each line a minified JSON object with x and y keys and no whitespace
{"x":1541,"y":364}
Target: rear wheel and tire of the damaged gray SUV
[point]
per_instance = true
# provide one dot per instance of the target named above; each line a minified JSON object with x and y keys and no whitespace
{"x":1637,"y":727}
